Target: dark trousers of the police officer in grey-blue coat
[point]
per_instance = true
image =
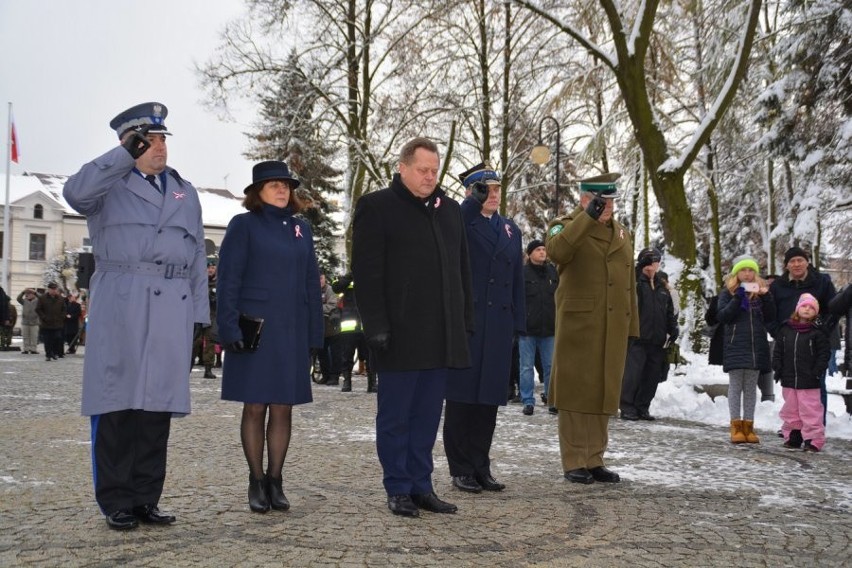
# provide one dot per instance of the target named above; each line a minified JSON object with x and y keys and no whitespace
{"x":129,"y":458}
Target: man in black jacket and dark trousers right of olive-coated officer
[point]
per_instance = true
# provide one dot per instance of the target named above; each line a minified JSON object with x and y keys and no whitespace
{"x":657,"y":328}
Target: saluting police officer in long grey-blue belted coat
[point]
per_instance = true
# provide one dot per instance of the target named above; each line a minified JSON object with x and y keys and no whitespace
{"x":148,"y":293}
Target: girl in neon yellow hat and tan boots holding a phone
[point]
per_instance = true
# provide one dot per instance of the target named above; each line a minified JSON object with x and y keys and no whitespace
{"x":745,"y":306}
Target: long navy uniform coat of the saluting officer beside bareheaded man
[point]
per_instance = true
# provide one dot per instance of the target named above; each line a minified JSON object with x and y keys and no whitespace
{"x":497,"y":272}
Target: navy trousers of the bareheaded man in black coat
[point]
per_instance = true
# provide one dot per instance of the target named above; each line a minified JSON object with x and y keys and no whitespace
{"x":409,"y":411}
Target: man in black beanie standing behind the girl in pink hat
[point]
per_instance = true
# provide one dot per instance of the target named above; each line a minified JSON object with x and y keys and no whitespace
{"x":800,"y":277}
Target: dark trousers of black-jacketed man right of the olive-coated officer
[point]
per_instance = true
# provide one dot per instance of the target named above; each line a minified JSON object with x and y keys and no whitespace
{"x":642,"y":373}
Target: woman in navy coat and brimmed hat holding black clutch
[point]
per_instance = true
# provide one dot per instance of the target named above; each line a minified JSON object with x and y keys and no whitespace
{"x":268,"y":269}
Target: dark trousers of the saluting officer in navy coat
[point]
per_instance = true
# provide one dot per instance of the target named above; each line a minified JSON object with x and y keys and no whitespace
{"x":468,"y":433}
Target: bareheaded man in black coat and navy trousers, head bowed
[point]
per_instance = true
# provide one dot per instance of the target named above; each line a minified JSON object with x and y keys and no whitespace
{"x":410,"y":260}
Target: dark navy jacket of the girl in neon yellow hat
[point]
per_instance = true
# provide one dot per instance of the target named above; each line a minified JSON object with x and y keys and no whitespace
{"x":745,"y":344}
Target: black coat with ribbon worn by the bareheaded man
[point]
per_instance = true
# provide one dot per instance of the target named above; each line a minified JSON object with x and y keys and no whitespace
{"x":412,"y":269}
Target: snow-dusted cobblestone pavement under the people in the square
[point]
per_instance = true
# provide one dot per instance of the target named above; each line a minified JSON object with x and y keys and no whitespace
{"x":688,"y":497}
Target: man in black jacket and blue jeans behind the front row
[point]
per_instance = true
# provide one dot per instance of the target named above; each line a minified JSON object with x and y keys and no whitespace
{"x":540,"y":283}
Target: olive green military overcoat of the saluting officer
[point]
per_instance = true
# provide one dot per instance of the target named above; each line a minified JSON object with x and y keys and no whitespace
{"x":596,"y":311}
